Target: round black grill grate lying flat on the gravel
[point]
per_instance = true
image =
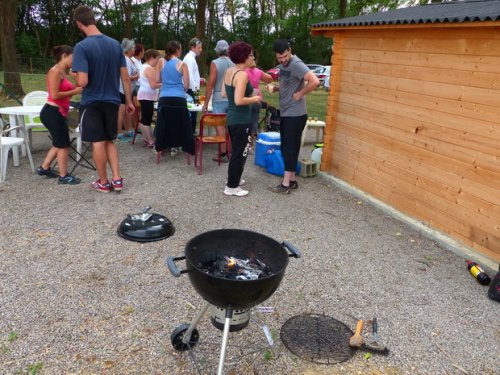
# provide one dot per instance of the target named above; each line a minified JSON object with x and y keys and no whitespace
{"x":317,"y":338}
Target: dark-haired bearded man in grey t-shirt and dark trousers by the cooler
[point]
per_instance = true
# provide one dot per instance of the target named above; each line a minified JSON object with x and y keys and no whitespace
{"x":295,"y":82}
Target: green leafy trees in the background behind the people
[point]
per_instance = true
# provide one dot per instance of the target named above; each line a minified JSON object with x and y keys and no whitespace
{"x":42,"y":24}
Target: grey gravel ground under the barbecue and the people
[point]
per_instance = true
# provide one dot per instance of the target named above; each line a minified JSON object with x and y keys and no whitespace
{"x":76,"y":298}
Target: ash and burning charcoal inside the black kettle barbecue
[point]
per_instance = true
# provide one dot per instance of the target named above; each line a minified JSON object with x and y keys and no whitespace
{"x":236,"y":268}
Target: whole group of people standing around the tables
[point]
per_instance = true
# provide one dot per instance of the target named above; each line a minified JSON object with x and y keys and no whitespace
{"x":103,"y":70}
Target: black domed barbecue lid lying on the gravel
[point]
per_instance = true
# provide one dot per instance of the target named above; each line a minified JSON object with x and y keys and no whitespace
{"x":146,"y":227}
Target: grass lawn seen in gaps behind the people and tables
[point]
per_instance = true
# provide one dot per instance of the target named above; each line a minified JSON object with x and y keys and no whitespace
{"x":316,"y":101}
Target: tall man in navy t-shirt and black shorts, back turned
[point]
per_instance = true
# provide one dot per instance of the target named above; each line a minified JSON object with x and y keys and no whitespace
{"x":99,"y":64}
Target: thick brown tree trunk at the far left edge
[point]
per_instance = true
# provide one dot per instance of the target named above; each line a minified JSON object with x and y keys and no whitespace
{"x":12,"y":79}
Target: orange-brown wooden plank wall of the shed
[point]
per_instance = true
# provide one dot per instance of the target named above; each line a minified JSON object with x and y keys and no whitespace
{"x":413,"y":119}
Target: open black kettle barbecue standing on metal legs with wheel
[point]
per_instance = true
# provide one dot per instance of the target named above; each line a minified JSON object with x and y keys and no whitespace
{"x":234,"y":296}
